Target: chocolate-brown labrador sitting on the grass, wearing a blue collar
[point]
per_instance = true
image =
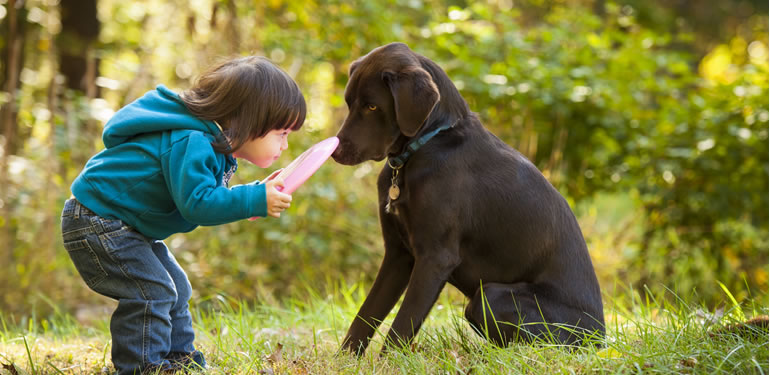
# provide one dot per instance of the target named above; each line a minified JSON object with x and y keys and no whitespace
{"x":458,"y":205}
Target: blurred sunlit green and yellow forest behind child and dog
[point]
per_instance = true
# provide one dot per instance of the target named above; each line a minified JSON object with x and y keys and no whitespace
{"x":650,"y":116}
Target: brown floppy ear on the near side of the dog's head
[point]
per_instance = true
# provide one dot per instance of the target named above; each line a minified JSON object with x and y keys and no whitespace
{"x":414,"y":94}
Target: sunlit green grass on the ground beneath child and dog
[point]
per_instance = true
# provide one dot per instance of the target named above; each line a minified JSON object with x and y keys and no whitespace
{"x":302,"y":335}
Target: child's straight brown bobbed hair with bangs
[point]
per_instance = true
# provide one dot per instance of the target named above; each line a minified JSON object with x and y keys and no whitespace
{"x":248,"y":97}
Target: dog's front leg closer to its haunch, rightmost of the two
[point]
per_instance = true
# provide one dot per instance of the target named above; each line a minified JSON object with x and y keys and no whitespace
{"x":428,"y":278}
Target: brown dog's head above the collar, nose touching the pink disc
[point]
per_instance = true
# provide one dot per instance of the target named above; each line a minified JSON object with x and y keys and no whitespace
{"x":389,"y":94}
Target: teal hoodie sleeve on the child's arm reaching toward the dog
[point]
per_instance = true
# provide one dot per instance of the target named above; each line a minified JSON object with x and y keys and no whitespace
{"x":189,"y":170}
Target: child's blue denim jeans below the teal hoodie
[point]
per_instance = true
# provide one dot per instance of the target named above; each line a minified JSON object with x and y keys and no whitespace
{"x":152,"y":326}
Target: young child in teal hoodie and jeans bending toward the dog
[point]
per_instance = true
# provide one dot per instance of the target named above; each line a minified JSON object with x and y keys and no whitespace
{"x":165,"y":170}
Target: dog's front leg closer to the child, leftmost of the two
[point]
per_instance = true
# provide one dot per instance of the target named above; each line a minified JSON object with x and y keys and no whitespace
{"x":387,"y":288}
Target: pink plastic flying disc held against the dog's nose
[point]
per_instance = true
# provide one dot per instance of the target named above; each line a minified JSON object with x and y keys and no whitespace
{"x":301,"y":168}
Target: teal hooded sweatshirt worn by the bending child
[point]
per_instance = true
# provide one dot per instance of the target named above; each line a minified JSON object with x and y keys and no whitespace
{"x":160,"y":174}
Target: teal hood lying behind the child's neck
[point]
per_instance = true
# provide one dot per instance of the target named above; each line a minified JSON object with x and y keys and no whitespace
{"x":157,"y":110}
